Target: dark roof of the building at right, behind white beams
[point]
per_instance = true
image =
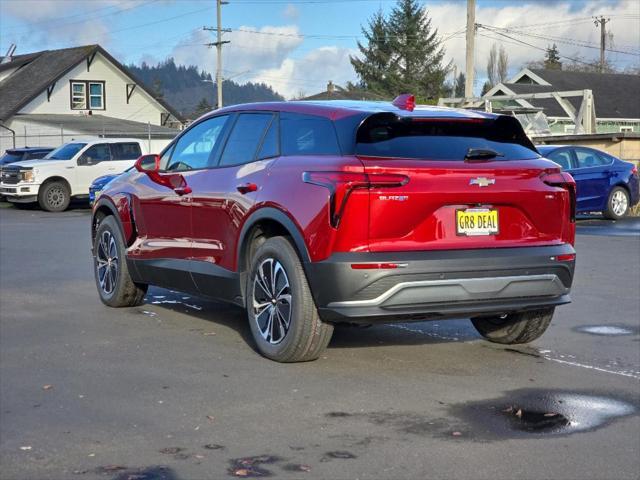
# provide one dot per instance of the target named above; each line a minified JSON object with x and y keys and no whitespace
{"x":615,"y":95}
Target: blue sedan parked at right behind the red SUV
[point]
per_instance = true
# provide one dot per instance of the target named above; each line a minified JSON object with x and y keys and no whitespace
{"x":604,"y":183}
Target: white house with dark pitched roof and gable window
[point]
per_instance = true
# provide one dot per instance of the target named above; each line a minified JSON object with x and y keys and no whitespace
{"x":53,"y":96}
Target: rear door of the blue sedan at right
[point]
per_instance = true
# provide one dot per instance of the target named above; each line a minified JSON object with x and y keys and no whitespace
{"x":591,"y":173}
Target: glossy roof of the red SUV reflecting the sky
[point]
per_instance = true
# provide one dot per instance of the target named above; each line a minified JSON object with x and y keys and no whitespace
{"x":336,"y":109}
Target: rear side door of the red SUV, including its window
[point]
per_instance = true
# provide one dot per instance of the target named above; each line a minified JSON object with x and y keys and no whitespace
{"x":223,"y":196}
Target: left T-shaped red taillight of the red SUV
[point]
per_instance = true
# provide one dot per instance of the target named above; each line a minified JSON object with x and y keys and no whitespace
{"x":341,"y":184}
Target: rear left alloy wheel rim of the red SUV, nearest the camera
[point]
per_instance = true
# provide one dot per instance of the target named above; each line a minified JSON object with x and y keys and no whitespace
{"x":272,"y":301}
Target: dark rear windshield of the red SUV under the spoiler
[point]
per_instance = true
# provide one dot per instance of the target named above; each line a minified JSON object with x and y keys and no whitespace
{"x":442,"y":139}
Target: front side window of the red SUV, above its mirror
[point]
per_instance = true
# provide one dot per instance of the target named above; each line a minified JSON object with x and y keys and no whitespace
{"x":196,"y":147}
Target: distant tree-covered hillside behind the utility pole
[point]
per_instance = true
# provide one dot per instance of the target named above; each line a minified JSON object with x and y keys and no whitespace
{"x":185,"y":88}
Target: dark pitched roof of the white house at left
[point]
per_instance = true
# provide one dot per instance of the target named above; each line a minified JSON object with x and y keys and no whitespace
{"x":36,"y":71}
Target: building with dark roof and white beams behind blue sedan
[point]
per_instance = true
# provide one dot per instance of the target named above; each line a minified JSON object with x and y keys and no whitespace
{"x":615,"y":98}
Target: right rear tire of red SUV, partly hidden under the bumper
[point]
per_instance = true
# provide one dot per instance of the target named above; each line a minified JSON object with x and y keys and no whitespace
{"x":522,"y":327}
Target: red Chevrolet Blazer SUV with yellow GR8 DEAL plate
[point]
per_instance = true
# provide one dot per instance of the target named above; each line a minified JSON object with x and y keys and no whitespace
{"x":314,"y":213}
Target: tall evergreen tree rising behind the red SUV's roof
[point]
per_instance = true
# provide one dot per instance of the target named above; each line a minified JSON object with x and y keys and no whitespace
{"x":403,"y":54}
